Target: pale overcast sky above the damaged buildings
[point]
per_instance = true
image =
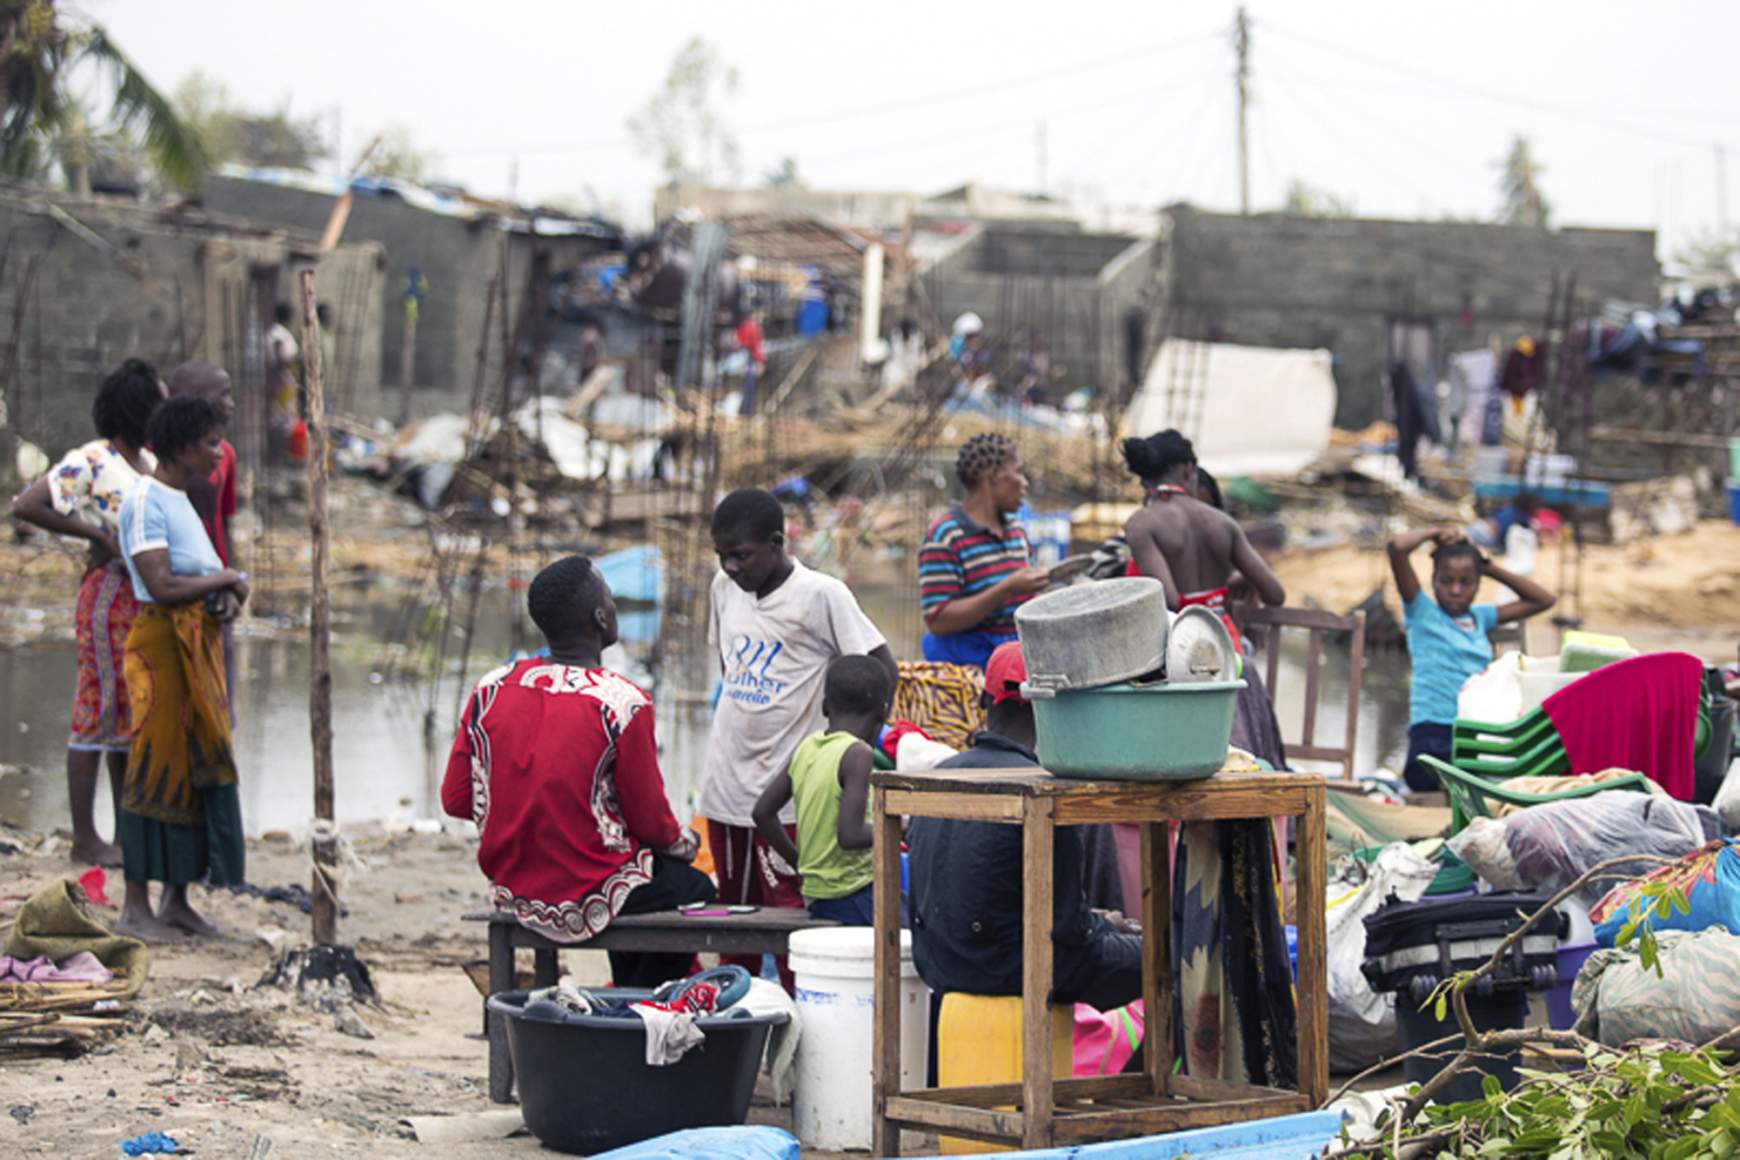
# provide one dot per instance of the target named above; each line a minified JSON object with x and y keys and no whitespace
{"x":1403,"y":109}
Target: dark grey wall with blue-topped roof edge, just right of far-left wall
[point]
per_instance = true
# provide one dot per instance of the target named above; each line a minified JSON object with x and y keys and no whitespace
{"x":457,"y":258}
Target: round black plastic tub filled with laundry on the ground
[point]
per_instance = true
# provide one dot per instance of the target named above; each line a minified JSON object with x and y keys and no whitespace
{"x":586,"y":1084}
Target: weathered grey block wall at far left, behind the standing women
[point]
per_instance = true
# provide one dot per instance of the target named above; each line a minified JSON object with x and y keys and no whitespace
{"x":173,"y":288}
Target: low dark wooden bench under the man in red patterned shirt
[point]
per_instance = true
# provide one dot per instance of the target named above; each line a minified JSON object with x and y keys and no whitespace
{"x":766,"y":931}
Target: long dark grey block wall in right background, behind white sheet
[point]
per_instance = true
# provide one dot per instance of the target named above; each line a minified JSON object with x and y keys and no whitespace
{"x":1278,"y":281}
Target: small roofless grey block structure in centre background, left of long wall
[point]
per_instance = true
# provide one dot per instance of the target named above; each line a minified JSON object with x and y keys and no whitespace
{"x":1074,"y":290}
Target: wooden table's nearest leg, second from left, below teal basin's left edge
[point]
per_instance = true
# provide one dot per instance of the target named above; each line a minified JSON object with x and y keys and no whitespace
{"x":1038,"y":844}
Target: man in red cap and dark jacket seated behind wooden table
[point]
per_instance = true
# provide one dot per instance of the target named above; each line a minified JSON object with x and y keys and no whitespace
{"x":967,"y":883}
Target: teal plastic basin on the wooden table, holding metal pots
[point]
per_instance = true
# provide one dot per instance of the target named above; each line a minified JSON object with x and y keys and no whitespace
{"x":1137,"y":733}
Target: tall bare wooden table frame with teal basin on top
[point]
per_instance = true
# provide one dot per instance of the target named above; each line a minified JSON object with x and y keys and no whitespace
{"x":1069,"y":1112}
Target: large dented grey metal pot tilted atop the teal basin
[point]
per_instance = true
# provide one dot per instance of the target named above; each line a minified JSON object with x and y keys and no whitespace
{"x":1094,"y":636}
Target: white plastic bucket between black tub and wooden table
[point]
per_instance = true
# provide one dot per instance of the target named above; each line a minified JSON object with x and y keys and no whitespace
{"x":836,"y":997}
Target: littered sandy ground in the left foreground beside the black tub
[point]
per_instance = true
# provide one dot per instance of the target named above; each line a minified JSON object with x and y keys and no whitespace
{"x":222,"y":1063}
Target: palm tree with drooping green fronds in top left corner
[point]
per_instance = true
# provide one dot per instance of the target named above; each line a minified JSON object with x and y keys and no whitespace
{"x":41,"y":50}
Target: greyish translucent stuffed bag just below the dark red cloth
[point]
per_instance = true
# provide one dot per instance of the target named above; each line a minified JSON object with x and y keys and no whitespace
{"x":1551,"y":846}
